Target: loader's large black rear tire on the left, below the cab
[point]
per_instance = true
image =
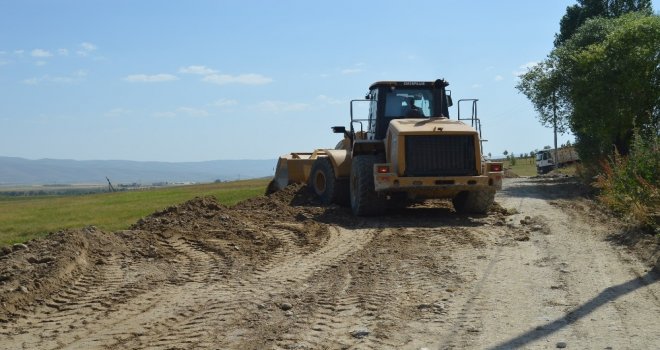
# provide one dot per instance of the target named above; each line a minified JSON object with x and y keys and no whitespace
{"x":364,"y":199}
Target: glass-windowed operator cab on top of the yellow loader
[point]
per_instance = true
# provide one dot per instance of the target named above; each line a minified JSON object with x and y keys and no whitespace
{"x":390,"y":100}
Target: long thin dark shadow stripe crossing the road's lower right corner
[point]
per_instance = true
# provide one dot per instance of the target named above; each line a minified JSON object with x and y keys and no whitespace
{"x":607,"y":295}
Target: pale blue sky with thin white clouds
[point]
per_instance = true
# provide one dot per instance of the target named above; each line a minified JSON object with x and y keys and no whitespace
{"x":202,"y":80}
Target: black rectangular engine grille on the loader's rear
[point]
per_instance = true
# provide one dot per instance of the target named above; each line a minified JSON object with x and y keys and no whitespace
{"x":440,"y":155}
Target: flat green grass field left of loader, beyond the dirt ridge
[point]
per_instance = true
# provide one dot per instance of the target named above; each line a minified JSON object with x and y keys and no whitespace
{"x":24,"y":218}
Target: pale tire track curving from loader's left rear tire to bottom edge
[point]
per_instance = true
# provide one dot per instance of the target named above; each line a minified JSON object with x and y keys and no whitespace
{"x":213,"y":315}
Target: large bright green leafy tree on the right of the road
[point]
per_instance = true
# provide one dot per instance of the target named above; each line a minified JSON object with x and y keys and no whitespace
{"x":602,"y":82}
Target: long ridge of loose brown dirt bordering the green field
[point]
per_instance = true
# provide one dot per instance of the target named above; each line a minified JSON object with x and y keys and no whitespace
{"x":242,"y":236}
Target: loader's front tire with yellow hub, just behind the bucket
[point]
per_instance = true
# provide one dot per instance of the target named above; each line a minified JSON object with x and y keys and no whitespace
{"x":325,"y":185}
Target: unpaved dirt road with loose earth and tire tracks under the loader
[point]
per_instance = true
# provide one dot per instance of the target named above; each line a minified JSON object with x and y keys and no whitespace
{"x":280,"y":272}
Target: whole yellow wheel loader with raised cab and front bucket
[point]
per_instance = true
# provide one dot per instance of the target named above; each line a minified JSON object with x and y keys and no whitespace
{"x":407,"y":148}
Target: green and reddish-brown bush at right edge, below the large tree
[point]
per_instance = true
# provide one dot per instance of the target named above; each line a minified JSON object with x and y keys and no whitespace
{"x":629,"y":184}
